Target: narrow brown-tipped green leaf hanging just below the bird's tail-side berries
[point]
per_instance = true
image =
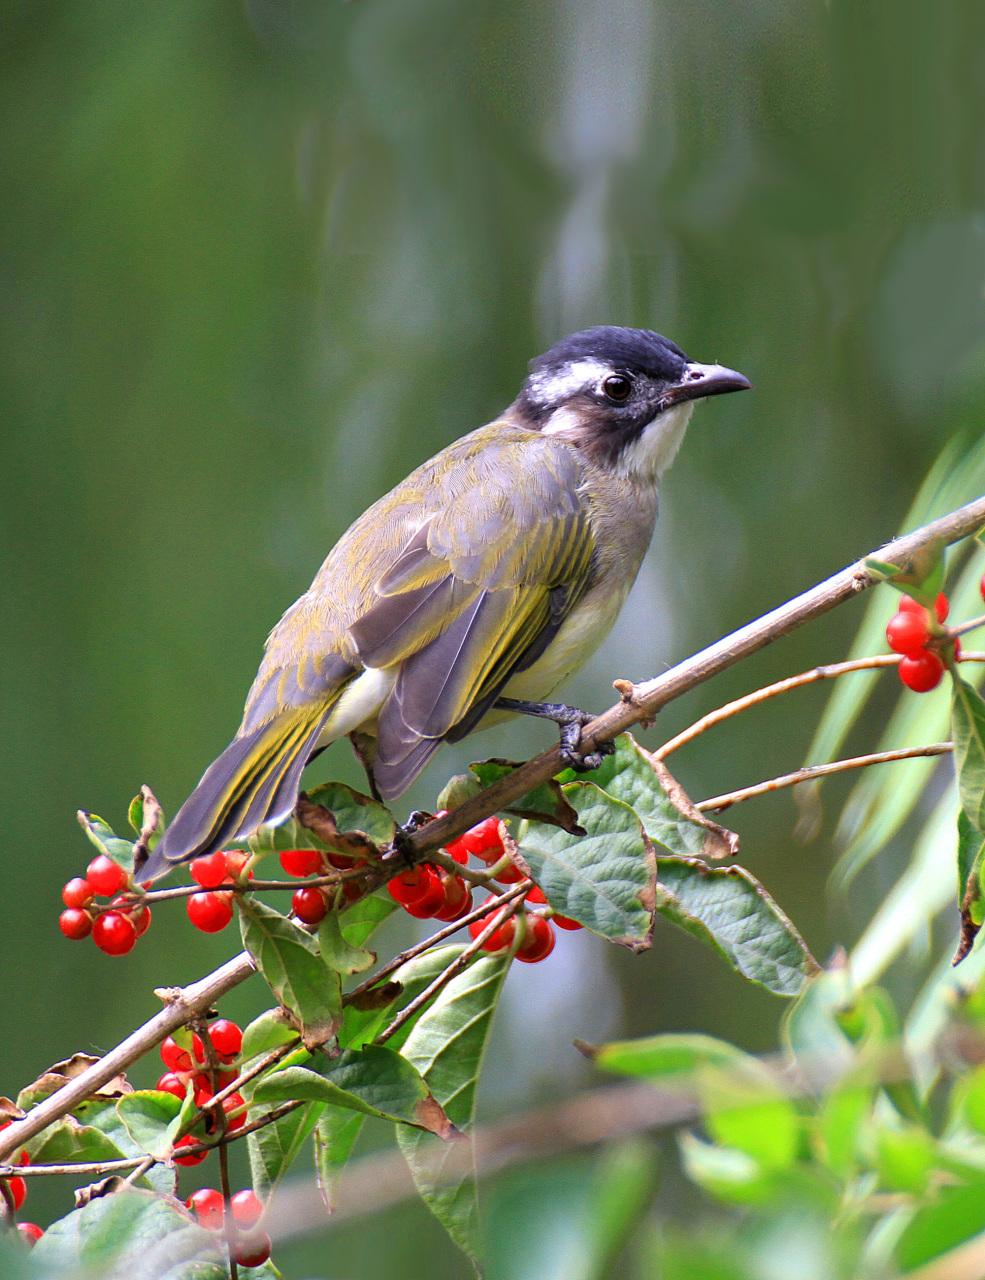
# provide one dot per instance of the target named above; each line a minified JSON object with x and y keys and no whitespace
{"x":297,"y":976}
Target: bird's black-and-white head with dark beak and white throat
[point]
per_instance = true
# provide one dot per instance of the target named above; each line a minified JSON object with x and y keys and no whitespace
{"x":622,"y":396}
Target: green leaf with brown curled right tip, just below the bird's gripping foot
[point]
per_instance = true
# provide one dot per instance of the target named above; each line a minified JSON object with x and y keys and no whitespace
{"x":630,"y":775}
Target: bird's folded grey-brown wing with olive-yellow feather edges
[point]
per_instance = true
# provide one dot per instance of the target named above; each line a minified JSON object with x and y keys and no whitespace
{"x":502,"y":554}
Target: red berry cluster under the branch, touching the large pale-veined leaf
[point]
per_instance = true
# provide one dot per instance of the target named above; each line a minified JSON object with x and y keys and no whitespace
{"x":432,"y":893}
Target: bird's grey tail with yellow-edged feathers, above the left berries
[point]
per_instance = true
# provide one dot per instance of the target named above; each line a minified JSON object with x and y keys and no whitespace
{"x":254,"y":781}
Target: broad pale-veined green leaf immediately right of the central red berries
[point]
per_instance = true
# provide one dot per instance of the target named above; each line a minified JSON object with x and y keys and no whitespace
{"x":603,"y":880}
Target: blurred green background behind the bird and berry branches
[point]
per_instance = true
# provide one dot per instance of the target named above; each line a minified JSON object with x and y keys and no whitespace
{"x":259,"y":260}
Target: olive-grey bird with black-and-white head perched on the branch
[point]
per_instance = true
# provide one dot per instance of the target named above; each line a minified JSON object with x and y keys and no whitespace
{"x":468,"y":595}
